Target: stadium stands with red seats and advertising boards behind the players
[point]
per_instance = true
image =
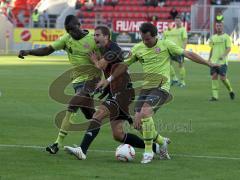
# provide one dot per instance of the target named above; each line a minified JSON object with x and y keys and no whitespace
{"x":123,"y":18}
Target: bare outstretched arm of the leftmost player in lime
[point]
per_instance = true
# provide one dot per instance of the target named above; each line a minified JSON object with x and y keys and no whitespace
{"x":36,"y":52}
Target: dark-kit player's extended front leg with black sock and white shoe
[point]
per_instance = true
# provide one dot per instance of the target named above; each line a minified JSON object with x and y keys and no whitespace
{"x":91,"y":133}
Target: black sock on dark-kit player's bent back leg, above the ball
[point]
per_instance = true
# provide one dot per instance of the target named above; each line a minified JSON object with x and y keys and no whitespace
{"x":135,"y":141}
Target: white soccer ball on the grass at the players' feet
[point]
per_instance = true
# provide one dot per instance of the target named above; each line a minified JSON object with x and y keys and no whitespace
{"x":125,"y":152}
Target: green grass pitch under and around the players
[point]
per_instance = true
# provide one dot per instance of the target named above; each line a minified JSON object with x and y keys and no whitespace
{"x":205,"y":135}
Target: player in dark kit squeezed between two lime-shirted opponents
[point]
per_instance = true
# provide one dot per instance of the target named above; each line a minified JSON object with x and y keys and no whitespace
{"x":120,"y":93}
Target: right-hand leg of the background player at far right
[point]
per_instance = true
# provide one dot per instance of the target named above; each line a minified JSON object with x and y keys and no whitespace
{"x":226,"y":82}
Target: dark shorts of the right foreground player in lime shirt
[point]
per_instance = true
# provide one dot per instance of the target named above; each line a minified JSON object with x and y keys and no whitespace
{"x":155,"y":97}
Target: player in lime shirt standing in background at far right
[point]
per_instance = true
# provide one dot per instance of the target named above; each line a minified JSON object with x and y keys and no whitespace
{"x":220,"y":47}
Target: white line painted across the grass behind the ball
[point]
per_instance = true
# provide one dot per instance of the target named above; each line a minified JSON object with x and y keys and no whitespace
{"x":109,"y":151}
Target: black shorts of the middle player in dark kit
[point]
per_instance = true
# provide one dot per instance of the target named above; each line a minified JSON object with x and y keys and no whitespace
{"x":118,"y":105}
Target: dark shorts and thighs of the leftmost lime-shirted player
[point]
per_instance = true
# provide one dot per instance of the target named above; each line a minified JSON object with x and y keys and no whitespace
{"x":82,"y":98}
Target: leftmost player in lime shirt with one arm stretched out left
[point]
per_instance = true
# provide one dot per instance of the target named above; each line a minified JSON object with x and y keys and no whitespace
{"x":77,"y":43}
